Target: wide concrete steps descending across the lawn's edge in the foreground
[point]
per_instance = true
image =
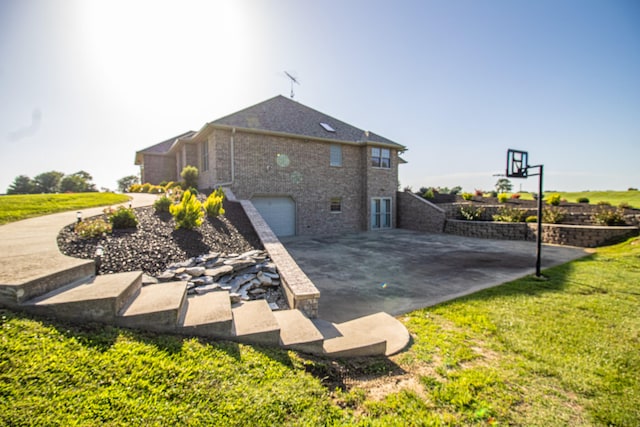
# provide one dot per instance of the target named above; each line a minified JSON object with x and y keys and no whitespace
{"x":121,"y":299}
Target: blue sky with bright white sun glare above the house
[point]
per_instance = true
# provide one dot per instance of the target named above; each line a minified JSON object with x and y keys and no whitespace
{"x":84,"y":84}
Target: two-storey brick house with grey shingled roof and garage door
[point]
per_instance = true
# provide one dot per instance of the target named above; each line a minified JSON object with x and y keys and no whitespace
{"x":307,"y":173}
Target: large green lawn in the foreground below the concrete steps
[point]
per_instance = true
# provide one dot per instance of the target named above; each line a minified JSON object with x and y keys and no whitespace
{"x":560,"y":351}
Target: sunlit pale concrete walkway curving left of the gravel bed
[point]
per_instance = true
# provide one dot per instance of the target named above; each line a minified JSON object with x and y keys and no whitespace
{"x":29,"y":248}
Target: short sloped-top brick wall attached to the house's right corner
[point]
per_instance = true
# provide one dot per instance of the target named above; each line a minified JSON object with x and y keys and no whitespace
{"x":415,"y":213}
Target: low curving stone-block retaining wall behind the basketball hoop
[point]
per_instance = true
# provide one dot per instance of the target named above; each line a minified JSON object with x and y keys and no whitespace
{"x":585,"y":236}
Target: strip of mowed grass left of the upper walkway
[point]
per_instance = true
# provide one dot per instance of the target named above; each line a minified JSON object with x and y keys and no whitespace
{"x":17,"y":207}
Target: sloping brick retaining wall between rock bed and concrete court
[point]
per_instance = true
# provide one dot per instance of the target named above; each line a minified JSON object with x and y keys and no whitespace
{"x":299,"y":290}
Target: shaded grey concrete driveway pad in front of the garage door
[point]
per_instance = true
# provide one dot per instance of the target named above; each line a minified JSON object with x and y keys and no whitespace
{"x":397,"y":271}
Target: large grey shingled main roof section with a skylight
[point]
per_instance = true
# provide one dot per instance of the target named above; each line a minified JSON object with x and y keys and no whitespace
{"x":285,"y":116}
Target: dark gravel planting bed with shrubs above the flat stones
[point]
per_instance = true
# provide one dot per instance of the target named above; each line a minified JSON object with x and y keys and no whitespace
{"x":155,"y":243}
